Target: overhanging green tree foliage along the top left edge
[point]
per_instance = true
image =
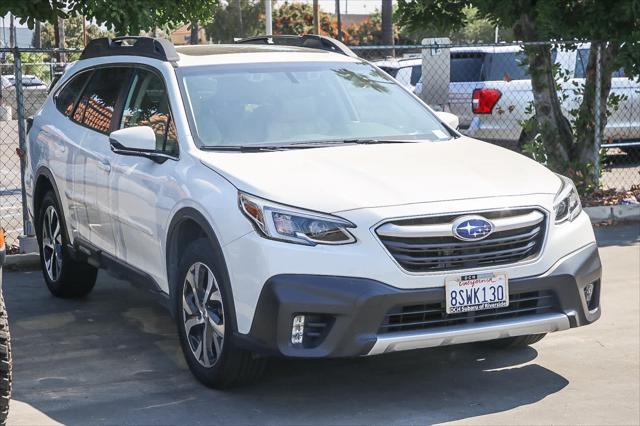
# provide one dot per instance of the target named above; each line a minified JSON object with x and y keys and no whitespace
{"x":124,"y":16}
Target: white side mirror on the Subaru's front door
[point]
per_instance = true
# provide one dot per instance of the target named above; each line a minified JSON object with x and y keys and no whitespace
{"x":138,"y":141}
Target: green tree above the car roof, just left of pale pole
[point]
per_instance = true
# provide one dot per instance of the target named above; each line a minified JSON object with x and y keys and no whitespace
{"x":230,"y":21}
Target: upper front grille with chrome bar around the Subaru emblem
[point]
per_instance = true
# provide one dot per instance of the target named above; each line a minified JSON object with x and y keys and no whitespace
{"x":427,"y":244}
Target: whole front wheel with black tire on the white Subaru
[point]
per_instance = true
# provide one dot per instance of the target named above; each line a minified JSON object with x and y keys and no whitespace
{"x":232,"y":365}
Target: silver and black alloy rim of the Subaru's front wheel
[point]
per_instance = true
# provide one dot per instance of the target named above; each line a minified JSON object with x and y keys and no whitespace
{"x":203,"y":314}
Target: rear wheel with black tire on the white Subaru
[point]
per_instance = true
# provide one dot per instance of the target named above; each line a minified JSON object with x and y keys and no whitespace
{"x":65,"y":276}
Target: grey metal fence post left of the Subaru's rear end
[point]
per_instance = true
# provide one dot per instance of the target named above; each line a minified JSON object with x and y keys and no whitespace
{"x":27,"y":241}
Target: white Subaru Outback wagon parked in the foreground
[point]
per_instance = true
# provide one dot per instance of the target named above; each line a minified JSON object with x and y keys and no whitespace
{"x":297,"y":201}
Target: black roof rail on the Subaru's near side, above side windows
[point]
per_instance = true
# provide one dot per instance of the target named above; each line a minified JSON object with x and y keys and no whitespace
{"x":149,"y":47}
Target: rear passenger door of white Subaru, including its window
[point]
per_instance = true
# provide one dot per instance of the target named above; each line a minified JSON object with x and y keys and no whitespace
{"x":95,"y":111}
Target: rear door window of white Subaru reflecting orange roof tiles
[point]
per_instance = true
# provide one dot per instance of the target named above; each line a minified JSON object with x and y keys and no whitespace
{"x":96,"y":106}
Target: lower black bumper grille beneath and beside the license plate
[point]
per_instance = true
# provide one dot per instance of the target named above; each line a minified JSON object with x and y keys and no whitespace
{"x":434,"y":315}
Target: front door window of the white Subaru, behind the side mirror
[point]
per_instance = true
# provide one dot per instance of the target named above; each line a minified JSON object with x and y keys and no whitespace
{"x":147,"y":104}
